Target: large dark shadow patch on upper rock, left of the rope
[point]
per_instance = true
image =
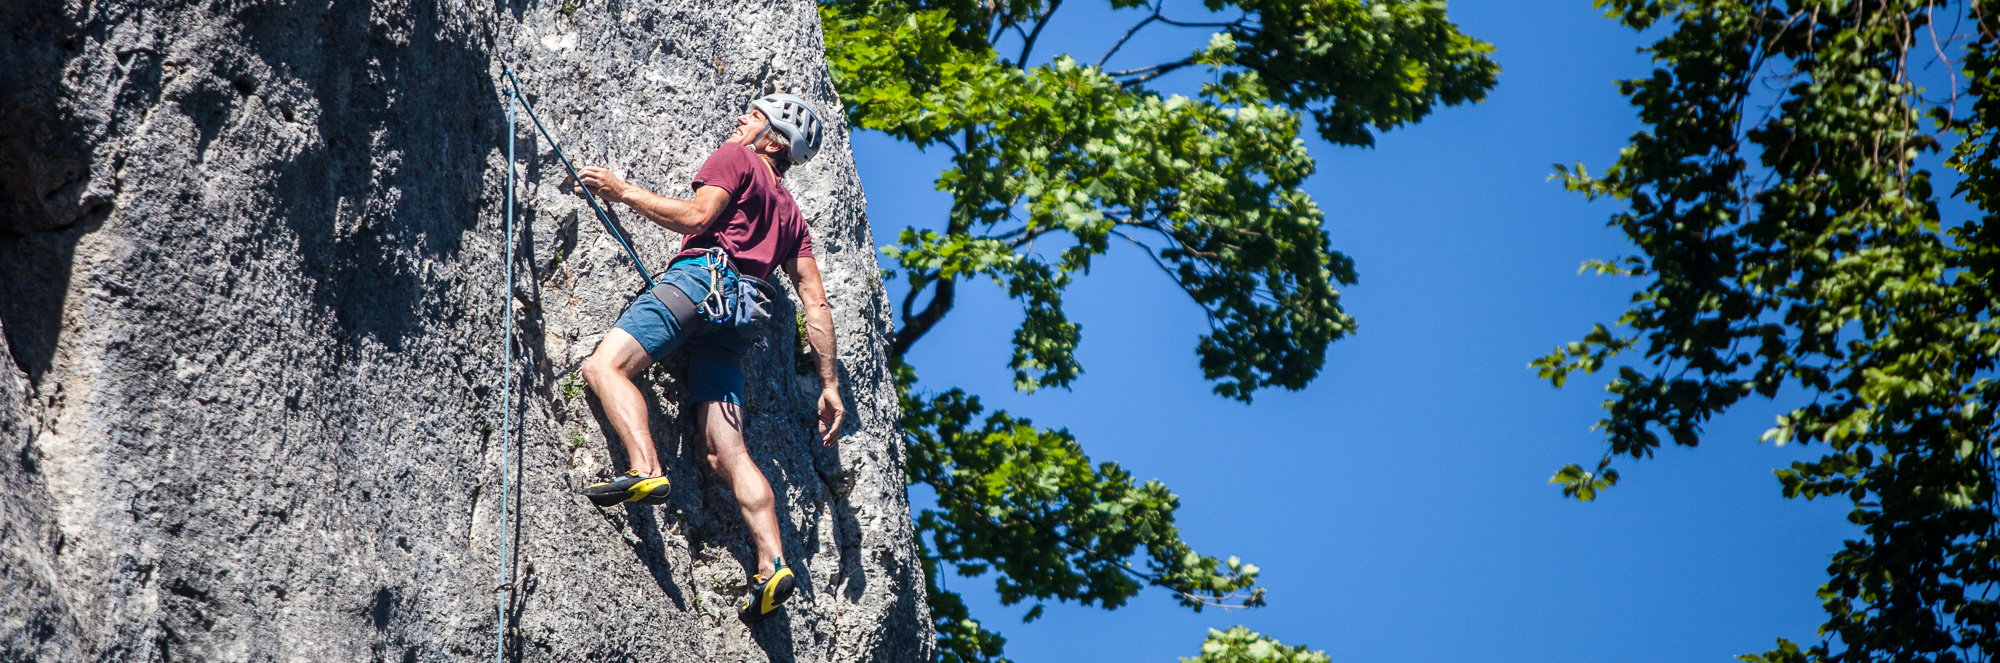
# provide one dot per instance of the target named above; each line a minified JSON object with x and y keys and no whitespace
{"x":385,"y":193}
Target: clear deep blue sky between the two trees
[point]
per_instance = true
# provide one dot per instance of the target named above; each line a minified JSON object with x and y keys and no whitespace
{"x":1399,"y":506}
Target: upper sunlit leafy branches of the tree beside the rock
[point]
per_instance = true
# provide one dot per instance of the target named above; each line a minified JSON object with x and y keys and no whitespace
{"x":1209,"y":187}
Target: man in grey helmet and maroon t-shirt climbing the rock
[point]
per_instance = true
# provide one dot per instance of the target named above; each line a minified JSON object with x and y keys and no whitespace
{"x":741,"y":227}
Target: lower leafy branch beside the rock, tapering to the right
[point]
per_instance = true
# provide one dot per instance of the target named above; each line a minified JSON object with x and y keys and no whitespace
{"x":1029,"y":504}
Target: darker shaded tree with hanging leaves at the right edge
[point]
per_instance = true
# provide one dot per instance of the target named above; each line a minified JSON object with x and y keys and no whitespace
{"x":1793,"y":247}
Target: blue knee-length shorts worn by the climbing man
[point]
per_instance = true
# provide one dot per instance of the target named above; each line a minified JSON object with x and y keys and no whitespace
{"x":715,"y":354}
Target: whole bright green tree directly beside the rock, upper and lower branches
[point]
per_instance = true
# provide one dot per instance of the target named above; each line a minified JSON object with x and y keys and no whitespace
{"x":1075,"y":157}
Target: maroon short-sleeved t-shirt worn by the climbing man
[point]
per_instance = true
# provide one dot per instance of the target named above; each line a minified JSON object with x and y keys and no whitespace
{"x":761,"y":227}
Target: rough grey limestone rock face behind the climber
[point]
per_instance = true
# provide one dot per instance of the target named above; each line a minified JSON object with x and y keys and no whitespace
{"x":253,"y":293}
